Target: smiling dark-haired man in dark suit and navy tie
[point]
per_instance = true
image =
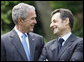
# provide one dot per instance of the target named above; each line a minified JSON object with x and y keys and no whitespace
{"x":71,"y":49}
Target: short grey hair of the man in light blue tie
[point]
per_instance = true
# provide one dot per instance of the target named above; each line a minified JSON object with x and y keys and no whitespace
{"x":20,"y":10}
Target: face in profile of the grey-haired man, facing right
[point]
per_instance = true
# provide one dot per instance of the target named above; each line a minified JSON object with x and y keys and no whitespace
{"x":30,"y":21}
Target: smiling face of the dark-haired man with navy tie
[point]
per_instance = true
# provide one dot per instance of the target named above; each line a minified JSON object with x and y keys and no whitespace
{"x":57,"y":24}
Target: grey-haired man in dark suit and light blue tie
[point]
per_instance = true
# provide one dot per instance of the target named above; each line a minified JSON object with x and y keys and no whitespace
{"x":12,"y":49}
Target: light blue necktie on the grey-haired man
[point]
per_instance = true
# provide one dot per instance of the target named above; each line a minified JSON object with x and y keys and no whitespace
{"x":25,"y":46}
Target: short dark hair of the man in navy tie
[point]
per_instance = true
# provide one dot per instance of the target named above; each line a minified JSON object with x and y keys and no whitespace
{"x":65,"y":13}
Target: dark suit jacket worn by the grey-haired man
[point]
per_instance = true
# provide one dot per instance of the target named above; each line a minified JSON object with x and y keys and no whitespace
{"x":12,"y":49}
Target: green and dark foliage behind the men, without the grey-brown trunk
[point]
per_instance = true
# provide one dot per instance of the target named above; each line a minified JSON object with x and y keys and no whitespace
{"x":75,"y":6}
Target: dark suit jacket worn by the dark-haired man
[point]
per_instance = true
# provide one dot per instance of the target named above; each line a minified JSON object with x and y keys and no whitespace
{"x":72,"y":50}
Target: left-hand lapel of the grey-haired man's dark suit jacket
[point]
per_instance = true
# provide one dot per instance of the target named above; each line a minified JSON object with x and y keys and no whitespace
{"x":17,"y":43}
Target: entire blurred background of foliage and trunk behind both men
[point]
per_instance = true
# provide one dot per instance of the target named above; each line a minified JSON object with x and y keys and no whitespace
{"x":43,"y":11}
